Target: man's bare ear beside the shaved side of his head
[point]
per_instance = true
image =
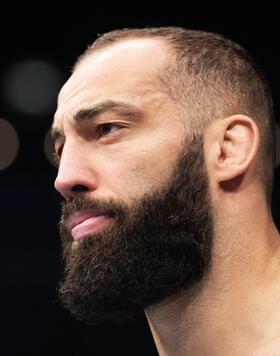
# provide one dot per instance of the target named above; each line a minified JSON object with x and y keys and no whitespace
{"x":233,"y":144}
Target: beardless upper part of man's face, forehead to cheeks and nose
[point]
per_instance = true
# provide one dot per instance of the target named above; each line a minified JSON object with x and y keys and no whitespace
{"x":120,"y":134}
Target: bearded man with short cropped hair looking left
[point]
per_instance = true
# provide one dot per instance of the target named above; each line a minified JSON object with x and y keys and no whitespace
{"x":164,"y":139}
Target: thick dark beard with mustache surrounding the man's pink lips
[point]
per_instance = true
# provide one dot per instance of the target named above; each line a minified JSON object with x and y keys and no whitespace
{"x":154,"y":249}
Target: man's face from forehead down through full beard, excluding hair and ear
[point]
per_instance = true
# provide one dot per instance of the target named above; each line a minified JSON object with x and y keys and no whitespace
{"x":136,"y":224}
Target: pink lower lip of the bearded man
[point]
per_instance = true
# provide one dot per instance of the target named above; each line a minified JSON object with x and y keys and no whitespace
{"x":89,"y":226}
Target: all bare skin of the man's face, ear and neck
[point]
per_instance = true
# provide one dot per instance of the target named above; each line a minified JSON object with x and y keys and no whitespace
{"x":236,"y":310}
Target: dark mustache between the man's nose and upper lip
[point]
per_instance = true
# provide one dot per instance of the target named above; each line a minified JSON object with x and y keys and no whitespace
{"x":111,"y":207}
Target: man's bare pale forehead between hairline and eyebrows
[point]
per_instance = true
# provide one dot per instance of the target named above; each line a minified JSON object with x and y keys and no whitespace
{"x":126,"y":71}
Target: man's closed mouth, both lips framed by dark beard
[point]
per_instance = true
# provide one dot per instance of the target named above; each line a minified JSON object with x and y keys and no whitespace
{"x":86,"y":222}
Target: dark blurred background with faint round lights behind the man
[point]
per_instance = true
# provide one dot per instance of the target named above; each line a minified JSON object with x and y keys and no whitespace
{"x":38,"y":48}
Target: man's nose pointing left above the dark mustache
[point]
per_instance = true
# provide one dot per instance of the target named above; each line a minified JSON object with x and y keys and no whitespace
{"x":75,"y":174}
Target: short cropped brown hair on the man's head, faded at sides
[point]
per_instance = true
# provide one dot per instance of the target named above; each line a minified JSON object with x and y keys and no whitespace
{"x":210,"y":77}
